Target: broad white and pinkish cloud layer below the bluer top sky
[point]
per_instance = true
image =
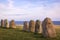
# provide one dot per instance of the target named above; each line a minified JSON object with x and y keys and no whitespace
{"x":30,"y":11}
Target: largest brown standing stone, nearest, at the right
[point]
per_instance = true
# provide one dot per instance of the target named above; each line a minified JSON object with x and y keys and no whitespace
{"x":48,"y":28}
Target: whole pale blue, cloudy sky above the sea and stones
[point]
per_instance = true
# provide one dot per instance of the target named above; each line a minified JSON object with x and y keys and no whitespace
{"x":25,"y":10}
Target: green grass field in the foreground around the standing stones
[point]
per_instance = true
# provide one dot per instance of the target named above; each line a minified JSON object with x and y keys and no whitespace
{"x":18,"y":34}
